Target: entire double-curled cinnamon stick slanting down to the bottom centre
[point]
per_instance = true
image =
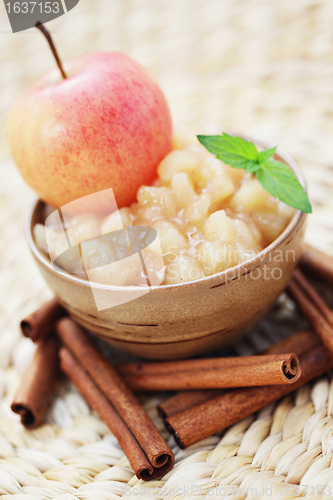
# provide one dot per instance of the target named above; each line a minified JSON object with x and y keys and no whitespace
{"x":109,"y":395}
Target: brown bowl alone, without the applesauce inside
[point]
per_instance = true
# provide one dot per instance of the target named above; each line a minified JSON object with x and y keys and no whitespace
{"x":181,"y":320}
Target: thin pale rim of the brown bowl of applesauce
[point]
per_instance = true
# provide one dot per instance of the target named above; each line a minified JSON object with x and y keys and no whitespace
{"x":295,"y":220}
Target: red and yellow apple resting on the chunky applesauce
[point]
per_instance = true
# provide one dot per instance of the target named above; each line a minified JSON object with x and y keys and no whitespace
{"x":107,"y":125}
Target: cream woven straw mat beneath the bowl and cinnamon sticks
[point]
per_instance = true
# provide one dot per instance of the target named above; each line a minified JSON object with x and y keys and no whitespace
{"x":255,"y":66}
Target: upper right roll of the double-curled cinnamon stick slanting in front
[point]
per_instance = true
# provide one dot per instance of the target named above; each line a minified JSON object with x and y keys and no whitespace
{"x":113,"y":387}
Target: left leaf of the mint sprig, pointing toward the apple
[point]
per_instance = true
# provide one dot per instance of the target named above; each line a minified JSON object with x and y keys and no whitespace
{"x":231,"y":150}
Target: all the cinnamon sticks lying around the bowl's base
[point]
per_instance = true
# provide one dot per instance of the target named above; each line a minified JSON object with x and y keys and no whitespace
{"x":216,"y":392}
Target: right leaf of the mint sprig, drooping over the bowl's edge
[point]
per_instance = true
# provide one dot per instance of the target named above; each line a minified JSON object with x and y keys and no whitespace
{"x":282,"y":183}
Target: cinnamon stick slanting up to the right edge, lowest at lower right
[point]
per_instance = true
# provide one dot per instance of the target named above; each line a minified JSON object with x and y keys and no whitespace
{"x":210,"y":417}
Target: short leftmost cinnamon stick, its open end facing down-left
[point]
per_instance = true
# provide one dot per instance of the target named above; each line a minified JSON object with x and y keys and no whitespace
{"x":35,"y":392}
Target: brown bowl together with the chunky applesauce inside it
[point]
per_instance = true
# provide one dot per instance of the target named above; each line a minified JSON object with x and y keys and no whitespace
{"x":228,"y":248}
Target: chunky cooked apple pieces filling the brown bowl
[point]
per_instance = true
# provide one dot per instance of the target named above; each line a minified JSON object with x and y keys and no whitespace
{"x":209,"y":217}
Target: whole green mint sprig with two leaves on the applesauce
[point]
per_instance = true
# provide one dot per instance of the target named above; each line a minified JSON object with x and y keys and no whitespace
{"x":275,"y":176}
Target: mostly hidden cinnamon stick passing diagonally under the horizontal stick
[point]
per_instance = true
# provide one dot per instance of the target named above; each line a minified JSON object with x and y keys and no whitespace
{"x":299,"y":343}
